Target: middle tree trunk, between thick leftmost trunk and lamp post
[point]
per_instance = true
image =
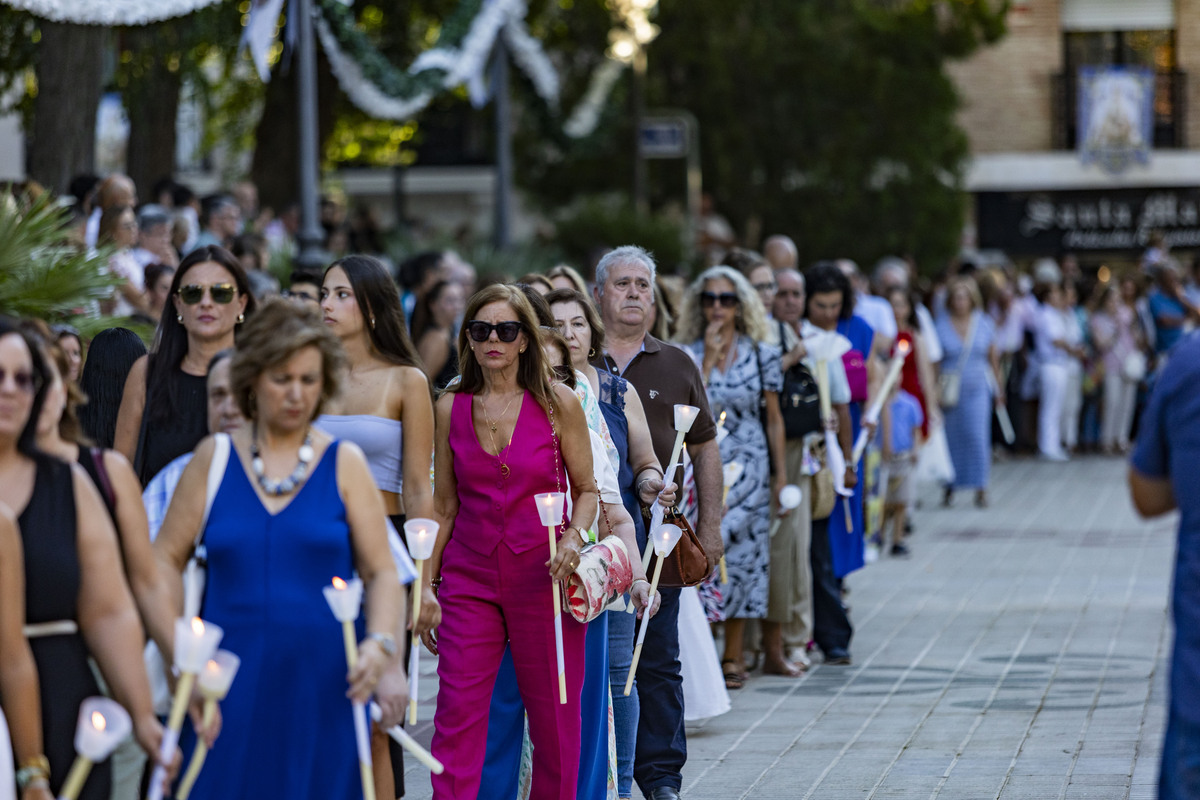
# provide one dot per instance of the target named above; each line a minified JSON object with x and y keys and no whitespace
{"x":153,"y":106}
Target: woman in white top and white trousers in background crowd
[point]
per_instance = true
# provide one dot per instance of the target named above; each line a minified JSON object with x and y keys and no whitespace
{"x":1058,"y":341}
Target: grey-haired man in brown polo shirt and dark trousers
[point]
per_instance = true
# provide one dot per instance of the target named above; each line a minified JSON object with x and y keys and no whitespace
{"x":664,"y":376}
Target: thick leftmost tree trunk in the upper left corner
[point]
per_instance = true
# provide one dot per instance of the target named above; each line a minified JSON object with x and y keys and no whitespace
{"x":70,"y":81}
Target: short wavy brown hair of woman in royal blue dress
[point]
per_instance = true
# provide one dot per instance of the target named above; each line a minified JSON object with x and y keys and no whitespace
{"x":279,"y":330}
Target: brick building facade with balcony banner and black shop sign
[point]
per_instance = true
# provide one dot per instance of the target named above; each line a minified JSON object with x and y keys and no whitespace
{"x":1084,"y":127}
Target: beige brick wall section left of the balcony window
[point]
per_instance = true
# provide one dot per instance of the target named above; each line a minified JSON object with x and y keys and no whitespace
{"x":1007,"y":89}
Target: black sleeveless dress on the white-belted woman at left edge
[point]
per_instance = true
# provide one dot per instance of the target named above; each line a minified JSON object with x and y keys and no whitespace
{"x":52,"y":592}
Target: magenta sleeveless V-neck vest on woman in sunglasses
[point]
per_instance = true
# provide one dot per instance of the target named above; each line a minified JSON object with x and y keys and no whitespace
{"x":491,"y":508}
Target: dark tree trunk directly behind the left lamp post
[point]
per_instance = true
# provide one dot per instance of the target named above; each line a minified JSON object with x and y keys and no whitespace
{"x":275,"y":169}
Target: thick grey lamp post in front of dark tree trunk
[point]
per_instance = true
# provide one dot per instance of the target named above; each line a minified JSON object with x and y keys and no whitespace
{"x":311,"y":237}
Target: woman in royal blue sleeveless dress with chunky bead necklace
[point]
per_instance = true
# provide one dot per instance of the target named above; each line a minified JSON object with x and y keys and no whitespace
{"x":295,"y":509}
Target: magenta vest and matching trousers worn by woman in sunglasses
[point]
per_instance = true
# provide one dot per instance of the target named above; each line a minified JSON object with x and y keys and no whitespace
{"x":496,"y":590}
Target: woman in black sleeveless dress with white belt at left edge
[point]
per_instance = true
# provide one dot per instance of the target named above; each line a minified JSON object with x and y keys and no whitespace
{"x":77,"y":604}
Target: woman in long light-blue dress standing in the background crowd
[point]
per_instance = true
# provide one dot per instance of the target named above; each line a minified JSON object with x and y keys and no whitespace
{"x":969,"y":341}
